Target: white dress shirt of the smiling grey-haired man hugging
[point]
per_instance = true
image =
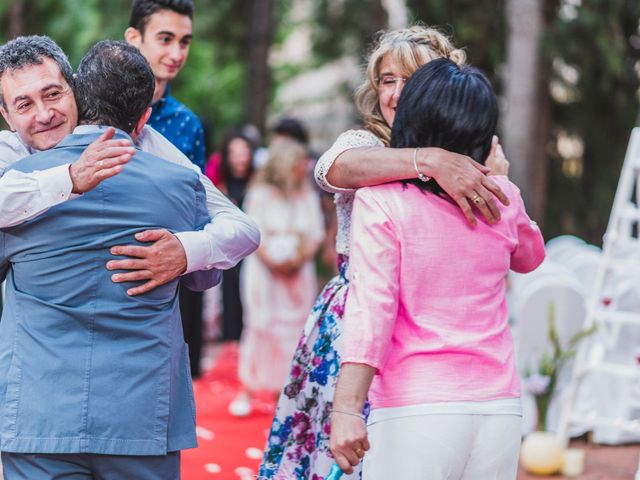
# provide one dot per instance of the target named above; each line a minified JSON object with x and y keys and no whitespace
{"x":228,"y":238}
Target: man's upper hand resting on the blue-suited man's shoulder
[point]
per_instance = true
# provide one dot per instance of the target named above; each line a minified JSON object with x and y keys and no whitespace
{"x":101,"y":160}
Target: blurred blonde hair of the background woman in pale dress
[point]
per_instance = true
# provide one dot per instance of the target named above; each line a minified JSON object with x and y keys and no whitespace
{"x":283,"y":154}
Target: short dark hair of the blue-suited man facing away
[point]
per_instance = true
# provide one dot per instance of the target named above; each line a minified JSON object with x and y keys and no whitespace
{"x":114,"y":85}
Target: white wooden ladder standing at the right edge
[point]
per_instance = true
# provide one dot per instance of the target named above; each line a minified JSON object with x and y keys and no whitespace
{"x":620,"y":259}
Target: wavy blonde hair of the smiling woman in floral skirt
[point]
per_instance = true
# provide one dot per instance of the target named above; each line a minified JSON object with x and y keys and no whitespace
{"x":412,"y":47}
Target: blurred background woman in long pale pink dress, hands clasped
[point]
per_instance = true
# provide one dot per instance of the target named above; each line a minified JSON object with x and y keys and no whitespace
{"x":278,"y":282}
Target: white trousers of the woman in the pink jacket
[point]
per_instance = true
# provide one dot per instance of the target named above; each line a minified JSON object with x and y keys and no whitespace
{"x":444,"y":447}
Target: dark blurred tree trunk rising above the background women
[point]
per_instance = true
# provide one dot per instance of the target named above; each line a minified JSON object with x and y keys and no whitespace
{"x":261,"y":25}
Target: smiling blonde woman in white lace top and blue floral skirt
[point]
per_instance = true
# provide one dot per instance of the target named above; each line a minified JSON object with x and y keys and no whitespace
{"x":298,"y":444}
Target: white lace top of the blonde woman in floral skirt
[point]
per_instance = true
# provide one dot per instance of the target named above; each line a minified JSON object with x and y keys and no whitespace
{"x":343,"y":196}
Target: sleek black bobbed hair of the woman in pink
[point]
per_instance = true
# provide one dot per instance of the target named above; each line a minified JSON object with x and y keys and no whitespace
{"x":447,"y":106}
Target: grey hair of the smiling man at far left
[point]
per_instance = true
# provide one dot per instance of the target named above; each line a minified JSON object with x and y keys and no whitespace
{"x":25,"y":51}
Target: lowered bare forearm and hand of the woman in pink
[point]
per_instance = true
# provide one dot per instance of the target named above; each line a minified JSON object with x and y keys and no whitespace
{"x":348,"y":440}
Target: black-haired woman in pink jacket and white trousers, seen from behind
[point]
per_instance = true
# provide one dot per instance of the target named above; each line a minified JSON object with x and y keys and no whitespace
{"x":426,"y":334}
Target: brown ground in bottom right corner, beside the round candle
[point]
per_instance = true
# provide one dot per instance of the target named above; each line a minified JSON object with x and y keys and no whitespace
{"x":602,"y":463}
